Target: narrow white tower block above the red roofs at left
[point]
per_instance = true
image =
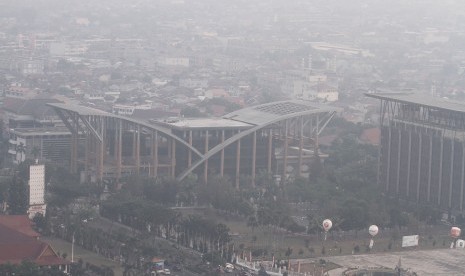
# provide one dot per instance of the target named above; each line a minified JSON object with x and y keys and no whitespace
{"x":36,"y":190}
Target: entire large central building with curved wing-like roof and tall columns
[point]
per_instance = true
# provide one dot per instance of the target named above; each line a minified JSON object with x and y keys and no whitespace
{"x":279,"y":138}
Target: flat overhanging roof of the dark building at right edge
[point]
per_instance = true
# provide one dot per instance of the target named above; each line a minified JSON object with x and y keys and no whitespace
{"x":421,"y":99}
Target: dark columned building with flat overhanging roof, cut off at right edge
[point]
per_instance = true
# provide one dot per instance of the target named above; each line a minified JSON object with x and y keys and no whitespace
{"x":422,"y":149}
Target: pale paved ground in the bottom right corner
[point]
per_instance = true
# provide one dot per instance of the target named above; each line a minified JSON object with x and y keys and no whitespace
{"x":427,"y":262}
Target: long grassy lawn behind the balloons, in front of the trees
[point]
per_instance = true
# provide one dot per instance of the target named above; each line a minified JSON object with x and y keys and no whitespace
{"x":271,"y":241}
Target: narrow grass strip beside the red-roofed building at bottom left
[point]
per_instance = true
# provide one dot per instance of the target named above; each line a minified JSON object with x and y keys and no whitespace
{"x":62,"y":246}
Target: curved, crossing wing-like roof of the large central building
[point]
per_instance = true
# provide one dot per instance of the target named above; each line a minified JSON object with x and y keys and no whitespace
{"x":247,"y":121}
